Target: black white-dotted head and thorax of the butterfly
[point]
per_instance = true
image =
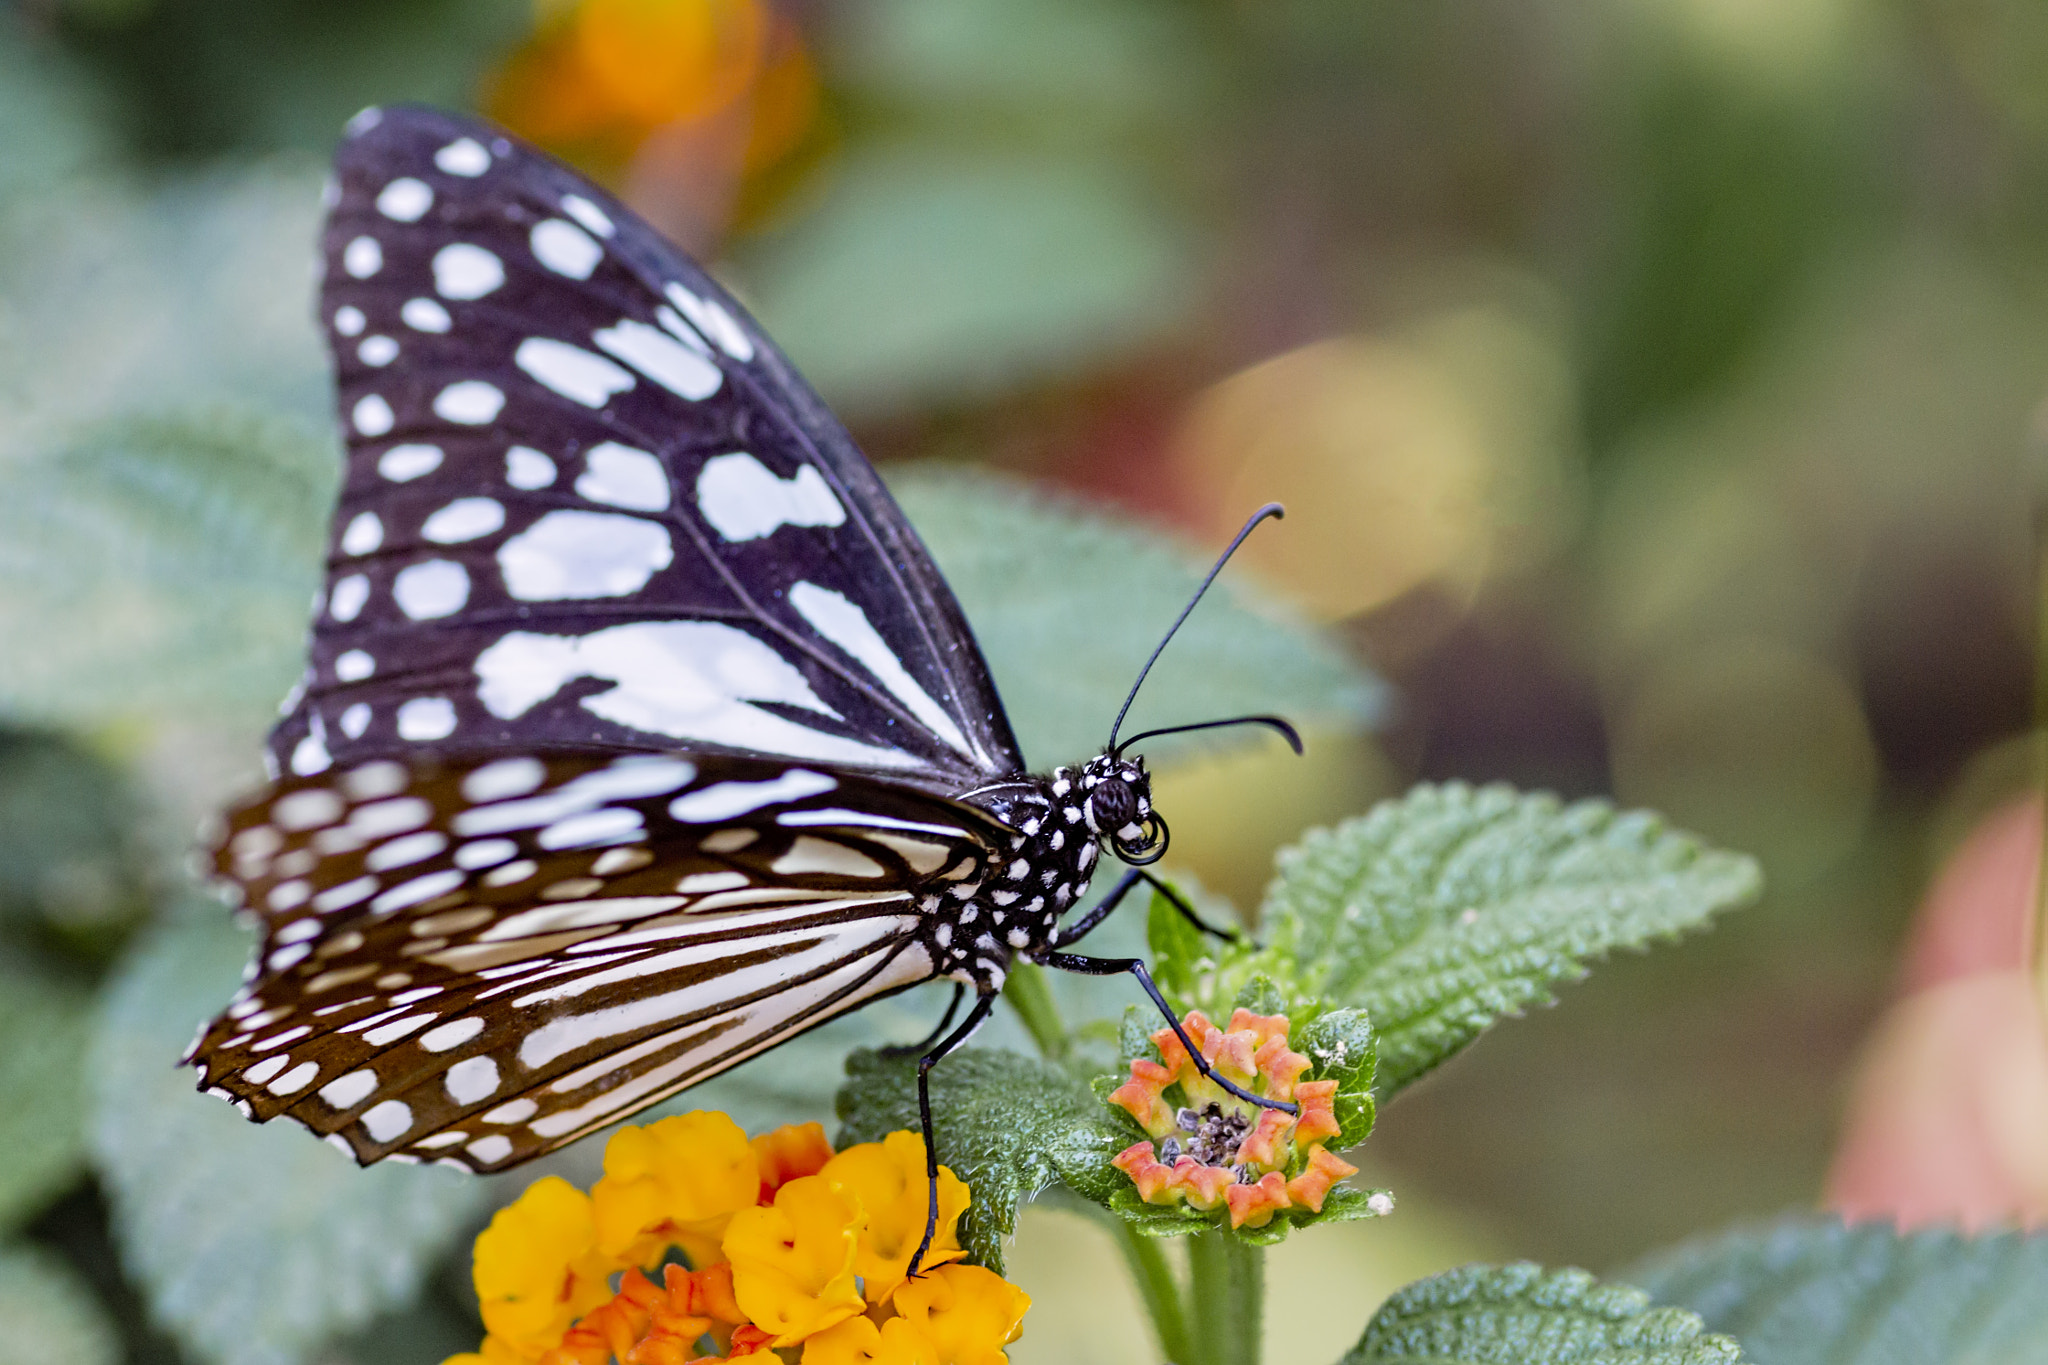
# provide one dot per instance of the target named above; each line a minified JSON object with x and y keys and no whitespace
{"x":1013,"y":904}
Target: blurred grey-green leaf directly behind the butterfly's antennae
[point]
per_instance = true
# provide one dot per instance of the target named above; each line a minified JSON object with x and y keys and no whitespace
{"x":1068,"y":605}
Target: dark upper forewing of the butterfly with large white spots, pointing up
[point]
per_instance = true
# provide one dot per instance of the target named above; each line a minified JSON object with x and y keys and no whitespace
{"x":591,"y":507}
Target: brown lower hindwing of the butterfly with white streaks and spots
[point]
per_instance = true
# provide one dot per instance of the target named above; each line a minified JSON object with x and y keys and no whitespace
{"x":484,"y":961}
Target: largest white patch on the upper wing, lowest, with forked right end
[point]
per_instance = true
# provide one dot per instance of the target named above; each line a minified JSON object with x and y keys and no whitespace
{"x":689,"y":680}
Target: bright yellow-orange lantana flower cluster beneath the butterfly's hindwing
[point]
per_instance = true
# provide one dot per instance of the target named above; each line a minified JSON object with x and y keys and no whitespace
{"x":794,"y":1253}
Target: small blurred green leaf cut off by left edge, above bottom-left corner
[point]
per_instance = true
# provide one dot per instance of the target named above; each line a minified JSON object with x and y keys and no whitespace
{"x":44,"y":1028}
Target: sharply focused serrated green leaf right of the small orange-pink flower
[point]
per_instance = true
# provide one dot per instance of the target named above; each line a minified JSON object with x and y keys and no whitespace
{"x":1445,"y":910}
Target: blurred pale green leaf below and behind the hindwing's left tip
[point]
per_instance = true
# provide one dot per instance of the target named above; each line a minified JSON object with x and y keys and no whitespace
{"x":253,"y":1245}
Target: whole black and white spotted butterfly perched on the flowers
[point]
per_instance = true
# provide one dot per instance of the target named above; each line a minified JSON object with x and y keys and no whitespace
{"x":640,"y":732}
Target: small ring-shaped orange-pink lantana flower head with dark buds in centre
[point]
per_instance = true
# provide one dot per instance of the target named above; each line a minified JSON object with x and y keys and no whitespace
{"x":1213,"y":1151}
